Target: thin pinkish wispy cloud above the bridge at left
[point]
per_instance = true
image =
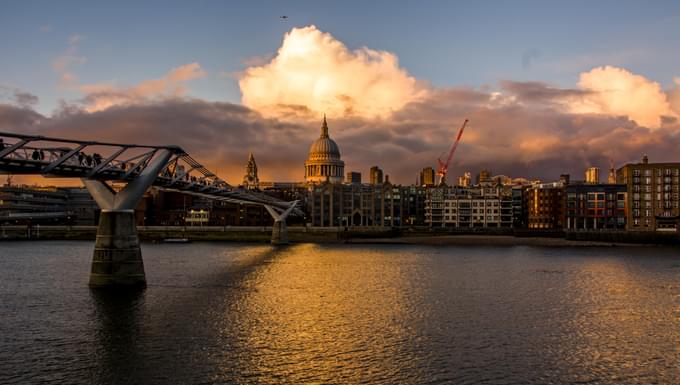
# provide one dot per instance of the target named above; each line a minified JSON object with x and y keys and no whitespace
{"x":101,"y":96}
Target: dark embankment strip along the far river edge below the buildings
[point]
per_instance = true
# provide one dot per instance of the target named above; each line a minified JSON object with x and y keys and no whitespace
{"x":301,"y":234}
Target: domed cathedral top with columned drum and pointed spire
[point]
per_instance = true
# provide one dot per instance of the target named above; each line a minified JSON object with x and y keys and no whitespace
{"x":323,"y":163}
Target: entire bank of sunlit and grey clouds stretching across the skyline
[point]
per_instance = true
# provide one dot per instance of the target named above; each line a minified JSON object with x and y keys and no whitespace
{"x":519,"y":129}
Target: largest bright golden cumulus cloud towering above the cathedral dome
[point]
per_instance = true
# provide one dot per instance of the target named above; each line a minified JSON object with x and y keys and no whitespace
{"x":315,"y":70}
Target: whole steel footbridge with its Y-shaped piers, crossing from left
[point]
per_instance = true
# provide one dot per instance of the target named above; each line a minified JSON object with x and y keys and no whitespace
{"x":117,"y":176}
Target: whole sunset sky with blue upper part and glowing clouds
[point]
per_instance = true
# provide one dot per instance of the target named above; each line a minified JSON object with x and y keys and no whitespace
{"x":549,"y":87}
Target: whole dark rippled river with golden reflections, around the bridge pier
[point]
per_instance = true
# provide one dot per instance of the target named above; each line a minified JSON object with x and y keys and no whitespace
{"x":343,"y":314}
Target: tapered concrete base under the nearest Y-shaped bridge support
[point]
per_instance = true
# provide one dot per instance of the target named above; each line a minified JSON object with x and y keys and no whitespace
{"x":117,"y":258}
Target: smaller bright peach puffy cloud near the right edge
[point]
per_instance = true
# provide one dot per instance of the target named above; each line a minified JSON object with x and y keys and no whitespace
{"x":617,"y":91}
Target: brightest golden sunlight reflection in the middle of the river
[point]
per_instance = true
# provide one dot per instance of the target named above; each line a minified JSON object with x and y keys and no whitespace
{"x":341,"y":317}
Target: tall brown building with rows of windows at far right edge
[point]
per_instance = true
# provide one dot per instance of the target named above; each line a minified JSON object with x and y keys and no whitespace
{"x":653,"y":194}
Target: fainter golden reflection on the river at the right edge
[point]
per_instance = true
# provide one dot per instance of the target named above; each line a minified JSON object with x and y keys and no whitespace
{"x":616,"y":311}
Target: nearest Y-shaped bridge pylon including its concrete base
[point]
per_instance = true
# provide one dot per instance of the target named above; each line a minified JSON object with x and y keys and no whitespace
{"x":117,"y":258}
